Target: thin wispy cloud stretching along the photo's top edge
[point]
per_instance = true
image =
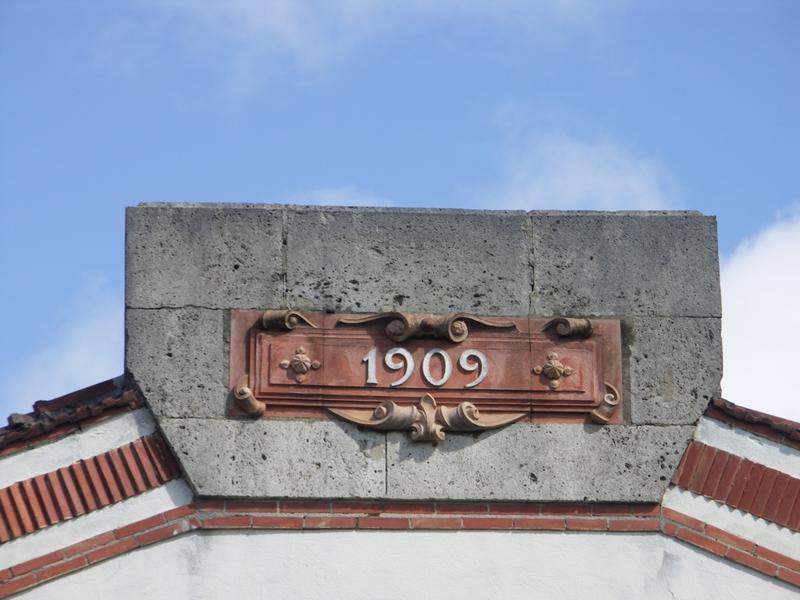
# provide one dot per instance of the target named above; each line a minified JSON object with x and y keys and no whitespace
{"x":247,"y":39}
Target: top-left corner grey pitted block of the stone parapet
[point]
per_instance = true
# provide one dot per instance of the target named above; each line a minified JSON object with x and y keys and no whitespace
{"x":204,"y":255}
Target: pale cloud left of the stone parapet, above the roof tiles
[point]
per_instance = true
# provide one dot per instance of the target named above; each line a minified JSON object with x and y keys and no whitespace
{"x":84,"y":349}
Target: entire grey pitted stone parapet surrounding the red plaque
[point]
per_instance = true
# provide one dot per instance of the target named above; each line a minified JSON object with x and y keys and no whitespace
{"x":658,"y":272}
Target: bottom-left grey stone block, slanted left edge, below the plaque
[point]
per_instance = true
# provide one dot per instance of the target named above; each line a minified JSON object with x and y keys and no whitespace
{"x":279,"y":458}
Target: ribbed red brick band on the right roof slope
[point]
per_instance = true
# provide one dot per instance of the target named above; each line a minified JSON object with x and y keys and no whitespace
{"x":740,"y":483}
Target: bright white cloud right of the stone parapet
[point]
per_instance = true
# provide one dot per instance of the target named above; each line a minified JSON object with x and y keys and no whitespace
{"x":761,"y":320}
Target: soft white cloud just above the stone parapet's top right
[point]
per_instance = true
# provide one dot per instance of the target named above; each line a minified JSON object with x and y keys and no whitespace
{"x":560,"y":172}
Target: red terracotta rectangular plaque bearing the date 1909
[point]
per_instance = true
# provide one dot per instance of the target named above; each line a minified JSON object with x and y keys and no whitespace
{"x":302,"y":364}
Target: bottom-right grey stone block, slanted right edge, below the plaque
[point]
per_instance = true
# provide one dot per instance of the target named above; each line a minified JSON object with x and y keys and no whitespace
{"x":539,"y":462}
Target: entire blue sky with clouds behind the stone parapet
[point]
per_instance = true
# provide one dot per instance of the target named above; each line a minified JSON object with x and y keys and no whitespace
{"x":509,"y":104}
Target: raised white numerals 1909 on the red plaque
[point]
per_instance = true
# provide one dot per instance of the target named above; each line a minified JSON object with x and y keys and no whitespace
{"x":479,"y":361}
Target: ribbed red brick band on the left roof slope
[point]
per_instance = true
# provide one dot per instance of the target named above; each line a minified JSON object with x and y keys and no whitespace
{"x":84,"y":486}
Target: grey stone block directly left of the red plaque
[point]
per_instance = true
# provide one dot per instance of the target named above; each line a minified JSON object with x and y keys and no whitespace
{"x":178,"y":358}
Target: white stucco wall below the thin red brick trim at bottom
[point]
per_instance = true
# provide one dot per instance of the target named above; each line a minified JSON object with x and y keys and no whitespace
{"x":387,"y":565}
